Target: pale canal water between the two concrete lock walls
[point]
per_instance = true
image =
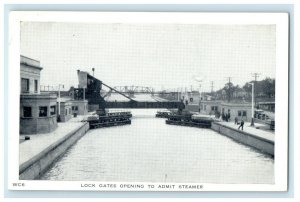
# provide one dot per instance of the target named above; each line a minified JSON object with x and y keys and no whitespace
{"x":148,"y":150}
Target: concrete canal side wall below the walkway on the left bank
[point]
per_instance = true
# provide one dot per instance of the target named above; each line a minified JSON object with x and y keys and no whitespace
{"x":39,"y":164}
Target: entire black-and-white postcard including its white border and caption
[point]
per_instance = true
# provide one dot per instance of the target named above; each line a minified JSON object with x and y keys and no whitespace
{"x":151,"y":101}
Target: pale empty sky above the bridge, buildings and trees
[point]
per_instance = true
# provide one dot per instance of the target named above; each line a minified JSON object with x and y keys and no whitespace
{"x":162,"y":56}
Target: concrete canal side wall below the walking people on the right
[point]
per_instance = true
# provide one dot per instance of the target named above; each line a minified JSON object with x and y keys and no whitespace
{"x":264,"y":145}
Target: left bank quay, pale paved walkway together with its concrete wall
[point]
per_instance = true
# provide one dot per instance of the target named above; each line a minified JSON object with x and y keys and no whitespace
{"x":37,"y":154}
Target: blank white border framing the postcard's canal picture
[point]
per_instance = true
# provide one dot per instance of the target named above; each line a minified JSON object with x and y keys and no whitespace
{"x":281,"y":137}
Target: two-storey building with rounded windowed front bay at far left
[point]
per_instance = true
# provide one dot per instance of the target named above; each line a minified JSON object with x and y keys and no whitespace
{"x":37,"y":110}
